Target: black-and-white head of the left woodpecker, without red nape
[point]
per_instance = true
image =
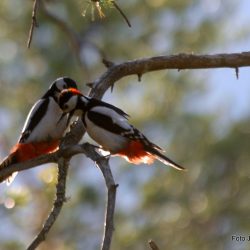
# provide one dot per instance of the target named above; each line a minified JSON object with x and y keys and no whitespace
{"x":58,"y":85}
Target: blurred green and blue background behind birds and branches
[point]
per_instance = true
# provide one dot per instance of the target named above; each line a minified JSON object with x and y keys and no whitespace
{"x":201,"y":118}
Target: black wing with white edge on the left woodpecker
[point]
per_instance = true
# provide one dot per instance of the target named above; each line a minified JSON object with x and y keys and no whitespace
{"x":34,"y":117}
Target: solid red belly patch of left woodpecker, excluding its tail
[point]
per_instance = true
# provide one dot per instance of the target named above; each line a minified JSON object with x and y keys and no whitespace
{"x":27,"y":151}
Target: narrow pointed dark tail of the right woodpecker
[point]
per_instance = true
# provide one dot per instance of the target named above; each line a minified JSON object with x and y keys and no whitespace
{"x":156,"y":152}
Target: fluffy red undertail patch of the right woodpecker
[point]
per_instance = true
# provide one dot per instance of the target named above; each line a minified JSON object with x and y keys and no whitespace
{"x":135,"y":153}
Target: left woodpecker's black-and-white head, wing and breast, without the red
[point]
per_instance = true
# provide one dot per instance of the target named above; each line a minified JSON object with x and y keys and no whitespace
{"x":41,"y":122}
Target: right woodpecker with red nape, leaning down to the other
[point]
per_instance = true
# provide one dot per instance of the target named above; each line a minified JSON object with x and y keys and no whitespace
{"x":109,"y":127}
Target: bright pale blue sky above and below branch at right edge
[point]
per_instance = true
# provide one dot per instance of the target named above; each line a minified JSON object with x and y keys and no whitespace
{"x":224,"y":89}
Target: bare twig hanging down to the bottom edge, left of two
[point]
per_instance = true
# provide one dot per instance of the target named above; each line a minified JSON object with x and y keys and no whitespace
{"x":58,"y":203}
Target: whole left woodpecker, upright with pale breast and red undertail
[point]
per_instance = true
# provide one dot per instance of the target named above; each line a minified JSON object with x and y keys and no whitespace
{"x":42,"y":131}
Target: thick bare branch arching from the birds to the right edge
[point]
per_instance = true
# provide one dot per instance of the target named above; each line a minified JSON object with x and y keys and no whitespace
{"x":181,"y":61}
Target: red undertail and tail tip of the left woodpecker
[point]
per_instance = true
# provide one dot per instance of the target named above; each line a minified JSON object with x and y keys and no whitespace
{"x":26,"y":151}
